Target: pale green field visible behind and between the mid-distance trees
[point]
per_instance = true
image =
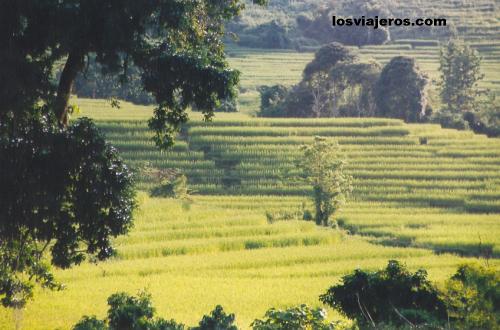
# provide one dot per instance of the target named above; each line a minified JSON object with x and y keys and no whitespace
{"x":266,"y":67}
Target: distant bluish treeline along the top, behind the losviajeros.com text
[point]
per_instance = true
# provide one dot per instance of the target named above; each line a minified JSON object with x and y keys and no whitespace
{"x":305,"y":25}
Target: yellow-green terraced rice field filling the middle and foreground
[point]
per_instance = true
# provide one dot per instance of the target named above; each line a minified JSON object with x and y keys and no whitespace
{"x":424,"y":195}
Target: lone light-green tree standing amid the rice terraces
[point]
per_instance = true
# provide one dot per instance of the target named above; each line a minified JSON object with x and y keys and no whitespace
{"x":323,"y":168}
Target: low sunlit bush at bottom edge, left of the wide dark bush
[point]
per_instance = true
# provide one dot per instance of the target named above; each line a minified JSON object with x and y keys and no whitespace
{"x":300,"y":317}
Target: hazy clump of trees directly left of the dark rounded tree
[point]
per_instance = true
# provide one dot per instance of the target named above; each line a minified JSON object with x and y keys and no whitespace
{"x":334,"y":84}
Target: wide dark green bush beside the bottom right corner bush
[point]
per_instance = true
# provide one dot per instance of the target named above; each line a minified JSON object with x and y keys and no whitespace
{"x":392,"y":296}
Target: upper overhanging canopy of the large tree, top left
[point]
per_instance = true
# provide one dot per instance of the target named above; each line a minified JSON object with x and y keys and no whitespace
{"x":176,"y":45}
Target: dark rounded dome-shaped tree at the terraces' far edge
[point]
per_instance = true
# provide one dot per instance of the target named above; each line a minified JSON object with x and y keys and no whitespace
{"x":401,"y":91}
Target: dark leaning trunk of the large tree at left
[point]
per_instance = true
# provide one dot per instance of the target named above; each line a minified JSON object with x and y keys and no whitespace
{"x":74,"y":64}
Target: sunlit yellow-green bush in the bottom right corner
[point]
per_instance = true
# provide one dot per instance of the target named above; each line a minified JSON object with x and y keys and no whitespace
{"x":472,"y":297}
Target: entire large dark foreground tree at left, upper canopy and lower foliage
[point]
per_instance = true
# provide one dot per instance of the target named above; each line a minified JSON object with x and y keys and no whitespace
{"x":64,"y":193}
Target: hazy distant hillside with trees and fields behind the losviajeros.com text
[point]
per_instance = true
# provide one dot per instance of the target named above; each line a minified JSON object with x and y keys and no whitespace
{"x":304,"y":24}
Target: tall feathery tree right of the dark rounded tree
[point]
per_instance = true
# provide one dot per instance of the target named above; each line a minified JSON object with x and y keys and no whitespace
{"x":460,"y":73}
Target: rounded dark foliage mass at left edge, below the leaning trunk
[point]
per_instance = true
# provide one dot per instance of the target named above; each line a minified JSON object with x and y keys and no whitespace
{"x":66,"y":191}
